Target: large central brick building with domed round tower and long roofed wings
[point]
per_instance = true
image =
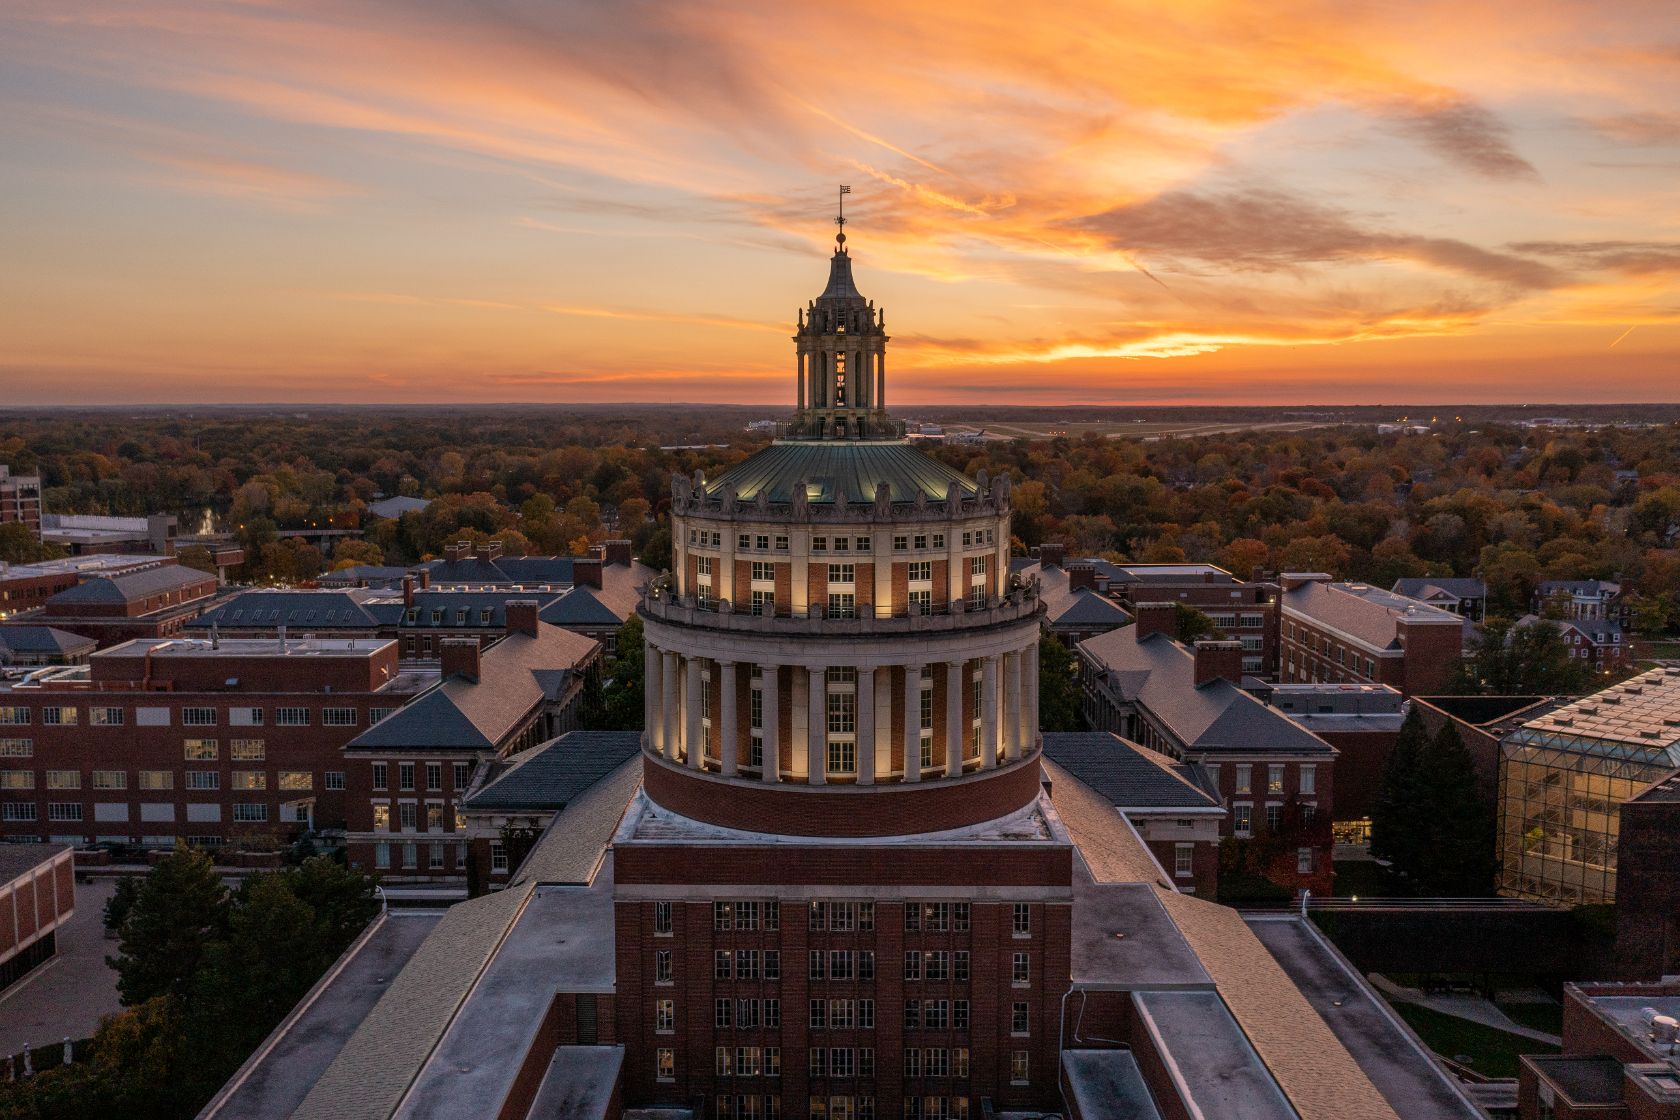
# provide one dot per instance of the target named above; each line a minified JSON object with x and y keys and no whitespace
{"x":836,"y":877}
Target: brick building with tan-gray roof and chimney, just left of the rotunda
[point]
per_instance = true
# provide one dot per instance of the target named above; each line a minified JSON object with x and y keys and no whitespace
{"x":409,"y":775}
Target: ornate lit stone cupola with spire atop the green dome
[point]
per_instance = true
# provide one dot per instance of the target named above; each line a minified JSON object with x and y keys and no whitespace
{"x":843,"y":360}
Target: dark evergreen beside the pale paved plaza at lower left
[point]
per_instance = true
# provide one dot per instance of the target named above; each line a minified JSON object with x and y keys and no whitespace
{"x":177,"y":914}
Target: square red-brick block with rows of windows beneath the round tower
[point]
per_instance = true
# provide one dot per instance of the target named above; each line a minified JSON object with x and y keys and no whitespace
{"x":928,"y":966}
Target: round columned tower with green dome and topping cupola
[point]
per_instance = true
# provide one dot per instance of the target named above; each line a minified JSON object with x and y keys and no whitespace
{"x":841,"y":620}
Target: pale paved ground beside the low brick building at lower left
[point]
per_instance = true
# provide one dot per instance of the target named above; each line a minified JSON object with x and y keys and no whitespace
{"x":68,"y":995}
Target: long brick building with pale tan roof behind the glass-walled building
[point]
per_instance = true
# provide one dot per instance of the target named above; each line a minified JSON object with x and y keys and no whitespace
{"x":1352,"y":632}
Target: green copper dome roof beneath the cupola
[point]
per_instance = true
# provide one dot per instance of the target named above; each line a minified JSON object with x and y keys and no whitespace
{"x":834,"y":468}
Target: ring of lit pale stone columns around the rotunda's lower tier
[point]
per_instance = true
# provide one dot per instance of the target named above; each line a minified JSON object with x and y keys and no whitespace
{"x":848,"y":741}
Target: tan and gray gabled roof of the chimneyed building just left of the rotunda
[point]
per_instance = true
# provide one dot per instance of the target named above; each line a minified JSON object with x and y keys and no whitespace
{"x":515,"y":678}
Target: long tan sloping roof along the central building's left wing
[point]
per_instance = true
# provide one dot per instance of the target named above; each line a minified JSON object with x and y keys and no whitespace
{"x":382,"y":1060}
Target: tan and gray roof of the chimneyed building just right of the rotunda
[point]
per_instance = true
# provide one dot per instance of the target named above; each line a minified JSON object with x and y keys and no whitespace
{"x":1160,"y":676}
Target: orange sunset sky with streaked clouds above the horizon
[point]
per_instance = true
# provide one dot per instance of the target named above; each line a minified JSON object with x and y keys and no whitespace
{"x":565,"y":201}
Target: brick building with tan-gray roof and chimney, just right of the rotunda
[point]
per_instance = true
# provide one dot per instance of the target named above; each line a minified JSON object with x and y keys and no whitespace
{"x":1187,"y":703}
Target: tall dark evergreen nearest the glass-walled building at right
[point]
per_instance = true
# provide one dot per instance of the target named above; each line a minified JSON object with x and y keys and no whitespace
{"x":1456,"y":822}
